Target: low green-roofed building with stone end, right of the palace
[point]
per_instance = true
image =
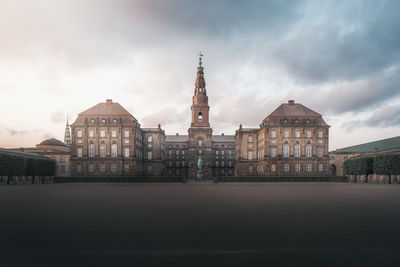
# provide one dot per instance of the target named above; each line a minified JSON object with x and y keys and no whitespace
{"x":384,"y":146}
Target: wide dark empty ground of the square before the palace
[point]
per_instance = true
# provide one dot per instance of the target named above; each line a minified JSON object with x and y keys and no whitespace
{"x":226,"y":224}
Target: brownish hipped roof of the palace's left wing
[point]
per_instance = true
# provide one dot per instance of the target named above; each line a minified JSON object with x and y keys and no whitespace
{"x":108,"y":109}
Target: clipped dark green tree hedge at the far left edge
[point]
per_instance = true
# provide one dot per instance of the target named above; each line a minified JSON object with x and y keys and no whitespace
{"x":16,"y":165}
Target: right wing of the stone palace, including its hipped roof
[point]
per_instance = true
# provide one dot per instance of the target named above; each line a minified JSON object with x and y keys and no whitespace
{"x":292,"y":141}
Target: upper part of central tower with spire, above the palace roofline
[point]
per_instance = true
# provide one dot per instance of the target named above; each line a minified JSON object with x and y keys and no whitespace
{"x":200,"y":107}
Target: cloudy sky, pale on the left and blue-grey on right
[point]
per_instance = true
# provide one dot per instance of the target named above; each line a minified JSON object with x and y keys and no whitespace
{"x":61,"y":57}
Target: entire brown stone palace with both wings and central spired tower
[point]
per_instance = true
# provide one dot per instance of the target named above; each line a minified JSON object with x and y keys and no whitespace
{"x":106,"y":140}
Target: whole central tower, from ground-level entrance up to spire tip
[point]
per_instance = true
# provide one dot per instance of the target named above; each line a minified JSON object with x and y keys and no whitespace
{"x":200,"y":133}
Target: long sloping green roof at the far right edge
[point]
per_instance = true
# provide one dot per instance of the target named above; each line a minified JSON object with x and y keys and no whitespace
{"x":384,"y":144}
